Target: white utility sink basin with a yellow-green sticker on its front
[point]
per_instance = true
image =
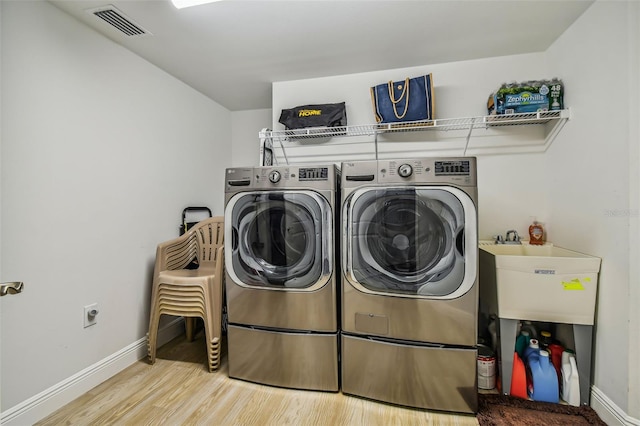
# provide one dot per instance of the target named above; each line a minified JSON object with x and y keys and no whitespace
{"x":538,"y":283}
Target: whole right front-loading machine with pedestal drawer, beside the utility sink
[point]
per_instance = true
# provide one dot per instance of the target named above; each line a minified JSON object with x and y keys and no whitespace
{"x":409,"y":285}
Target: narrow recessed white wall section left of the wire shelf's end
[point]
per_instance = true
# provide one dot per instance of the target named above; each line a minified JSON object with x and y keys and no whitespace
{"x":246,"y":125}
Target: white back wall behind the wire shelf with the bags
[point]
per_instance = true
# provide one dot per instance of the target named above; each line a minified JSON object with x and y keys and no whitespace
{"x":510,"y":192}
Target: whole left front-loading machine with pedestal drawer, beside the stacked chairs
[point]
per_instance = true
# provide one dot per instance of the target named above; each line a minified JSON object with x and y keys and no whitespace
{"x":282,"y":275}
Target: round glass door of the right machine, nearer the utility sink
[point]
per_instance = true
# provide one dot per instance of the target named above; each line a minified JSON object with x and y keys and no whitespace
{"x":411,"y":241}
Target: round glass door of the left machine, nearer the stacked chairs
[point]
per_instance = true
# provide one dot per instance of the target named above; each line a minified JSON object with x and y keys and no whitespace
{"x":279,"y":239}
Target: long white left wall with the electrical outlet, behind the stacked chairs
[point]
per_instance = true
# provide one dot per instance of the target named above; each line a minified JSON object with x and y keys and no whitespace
{"x":101,"y":151}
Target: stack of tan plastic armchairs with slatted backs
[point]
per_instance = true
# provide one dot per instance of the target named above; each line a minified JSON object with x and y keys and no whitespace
{"x":191,"y":293}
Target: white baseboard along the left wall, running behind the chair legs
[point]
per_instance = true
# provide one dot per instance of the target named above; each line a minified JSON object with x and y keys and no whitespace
{"x":57,"y":396}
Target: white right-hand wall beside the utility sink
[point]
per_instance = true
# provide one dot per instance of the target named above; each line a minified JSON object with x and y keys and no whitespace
{"x":593,"y":181}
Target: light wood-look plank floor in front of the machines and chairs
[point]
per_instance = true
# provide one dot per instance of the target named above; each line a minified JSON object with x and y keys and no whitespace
{"x":178,"y":390}
